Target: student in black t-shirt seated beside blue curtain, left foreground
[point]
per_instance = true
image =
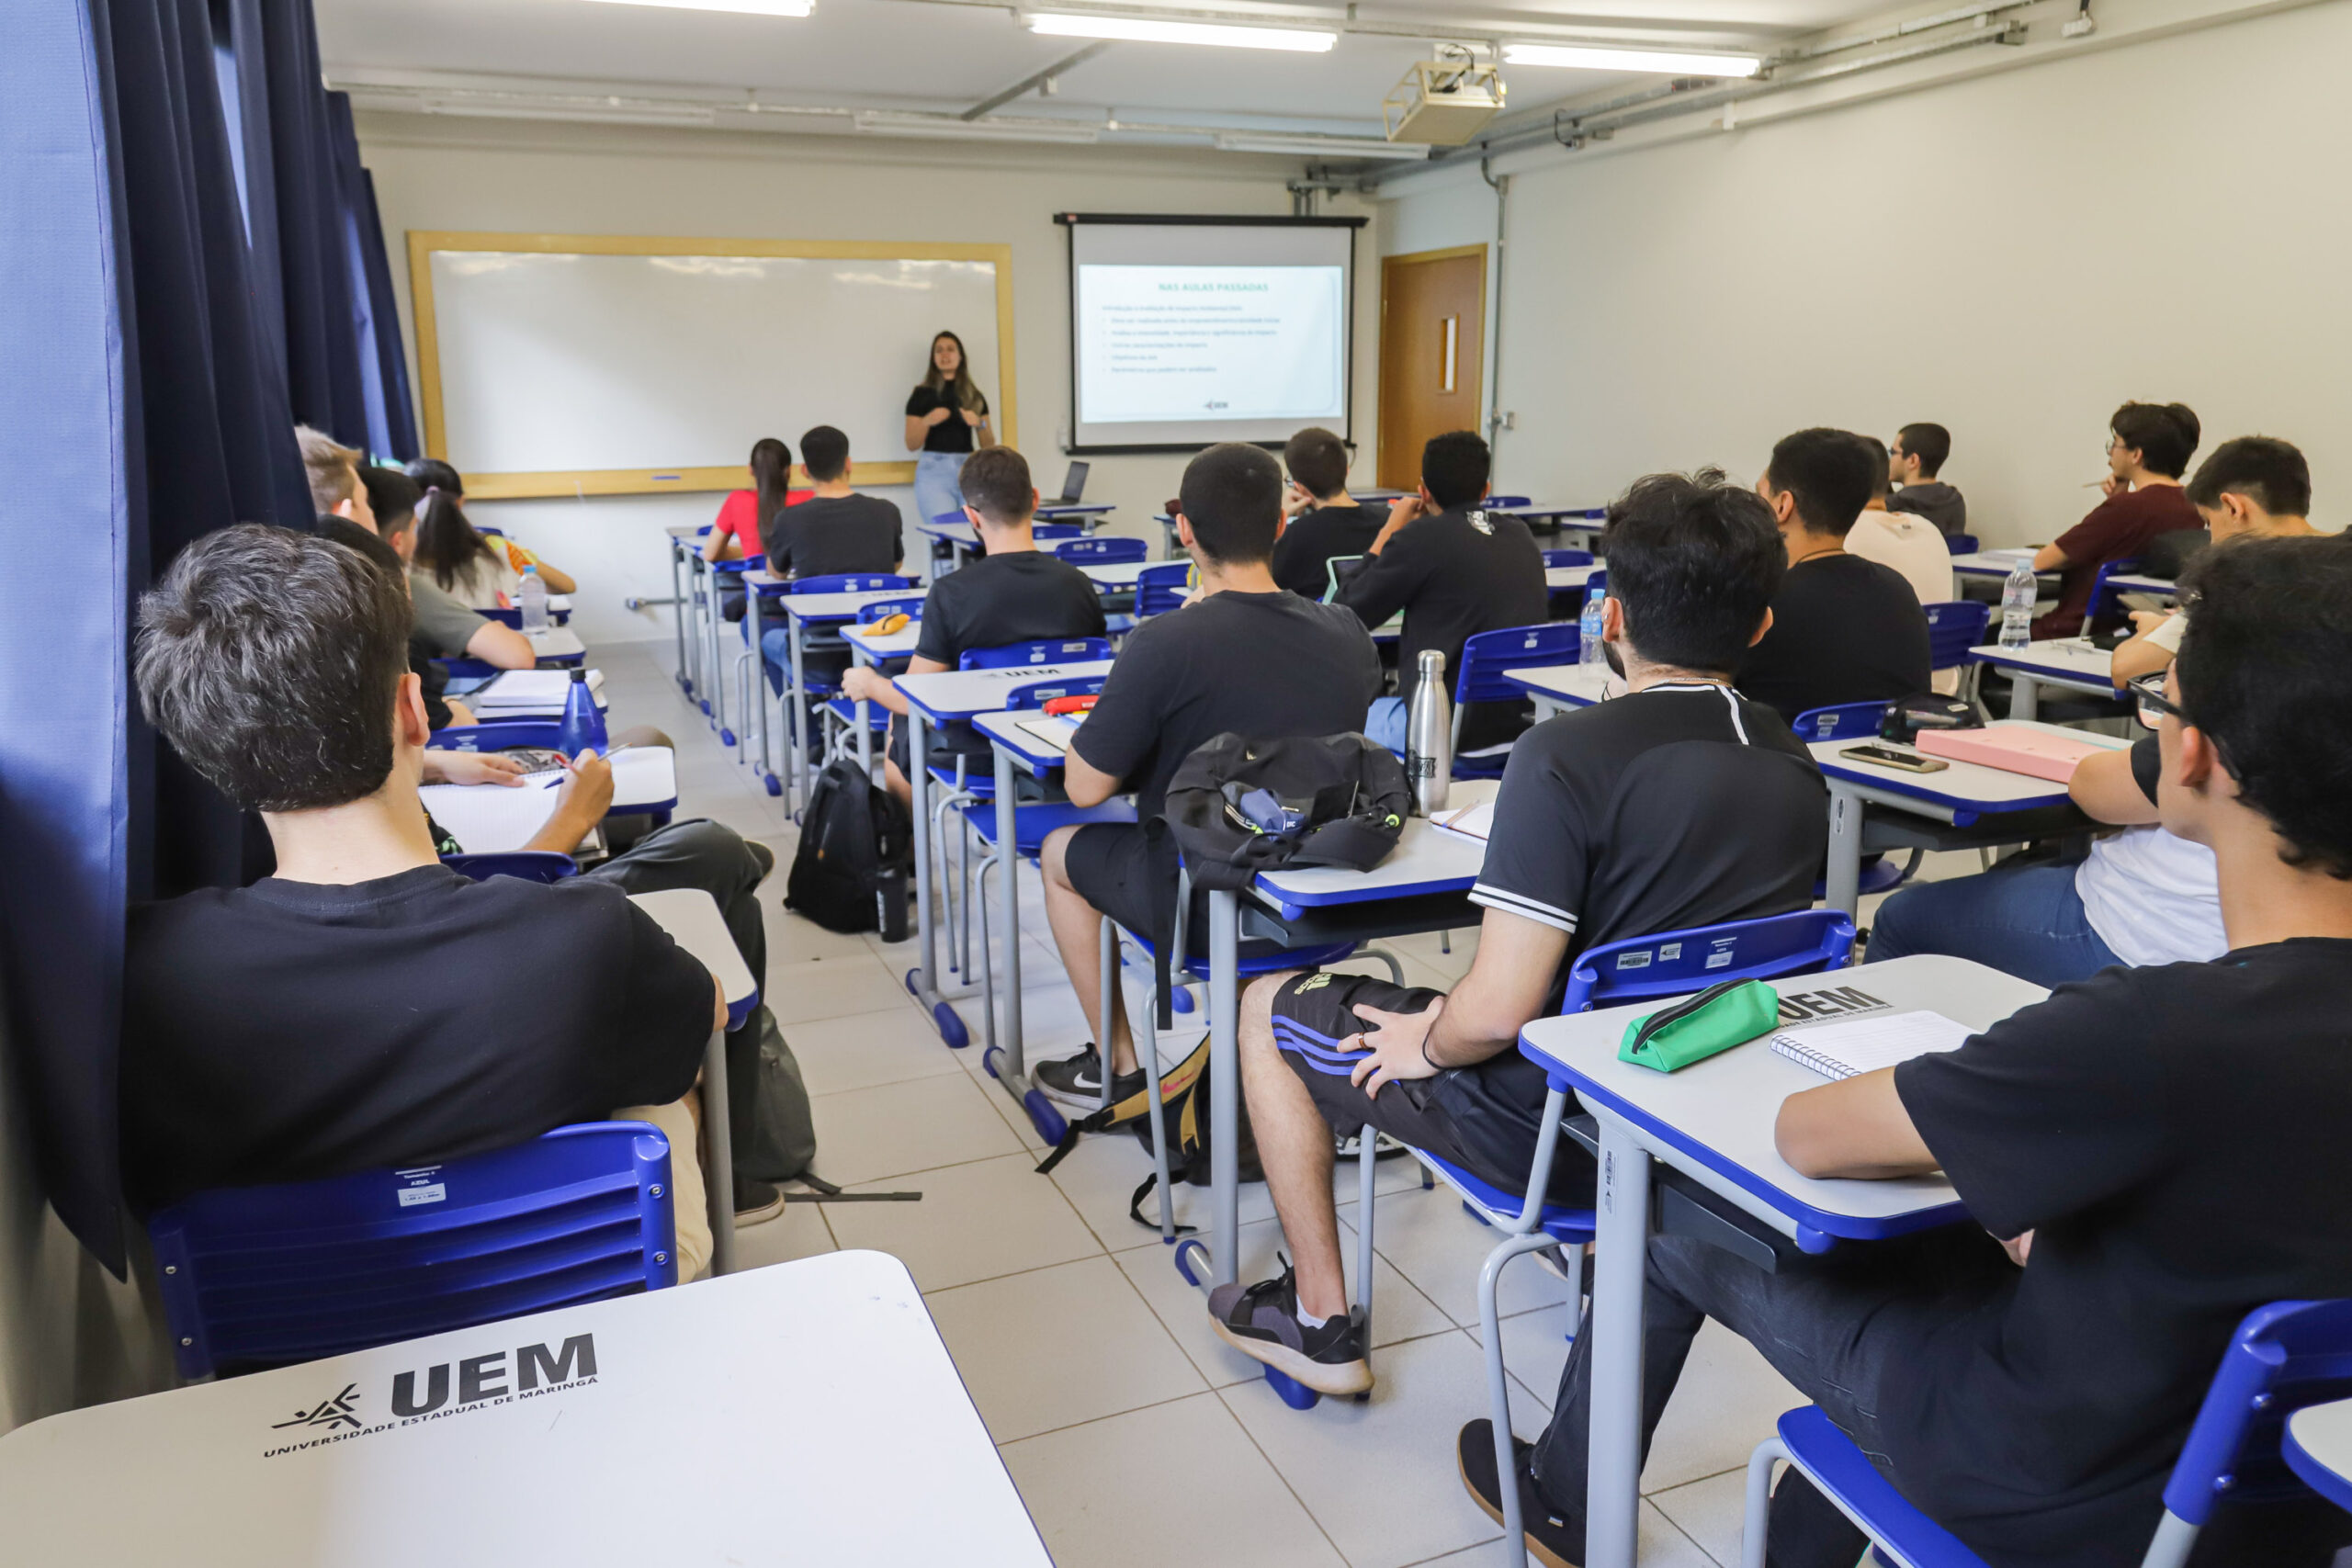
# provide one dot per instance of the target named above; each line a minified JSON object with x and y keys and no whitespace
{"x":274,"y":662}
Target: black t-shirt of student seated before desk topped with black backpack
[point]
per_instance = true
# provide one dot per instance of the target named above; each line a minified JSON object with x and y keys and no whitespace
{"x":1255,"y":664}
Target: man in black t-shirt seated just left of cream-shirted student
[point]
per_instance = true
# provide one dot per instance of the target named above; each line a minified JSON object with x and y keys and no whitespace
{"x":1843,"y":629}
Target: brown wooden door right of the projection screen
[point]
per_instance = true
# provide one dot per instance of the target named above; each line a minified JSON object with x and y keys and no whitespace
{"x":1434,"y":354}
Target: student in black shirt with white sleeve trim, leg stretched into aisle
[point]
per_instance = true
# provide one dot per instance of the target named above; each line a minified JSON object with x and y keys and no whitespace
{"x":1678,"y":805}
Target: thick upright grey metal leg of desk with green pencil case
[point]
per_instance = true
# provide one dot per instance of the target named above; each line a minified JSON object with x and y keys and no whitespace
{"x":1615,"y":1463}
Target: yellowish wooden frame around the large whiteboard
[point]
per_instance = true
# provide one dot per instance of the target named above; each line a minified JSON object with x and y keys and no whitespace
{"x":667,"y":481}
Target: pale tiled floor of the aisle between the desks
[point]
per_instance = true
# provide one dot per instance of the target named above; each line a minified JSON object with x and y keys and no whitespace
{"x":1090,"y":1360}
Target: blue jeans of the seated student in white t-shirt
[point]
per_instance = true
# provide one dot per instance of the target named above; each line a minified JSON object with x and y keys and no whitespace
{"x":2026,"y":923}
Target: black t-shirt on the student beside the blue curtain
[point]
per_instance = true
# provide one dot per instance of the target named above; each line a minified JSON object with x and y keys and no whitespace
{"x":293,"y":1031}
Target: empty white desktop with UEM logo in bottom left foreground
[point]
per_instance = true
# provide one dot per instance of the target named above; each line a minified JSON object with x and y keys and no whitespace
{"x":766,"y":1419}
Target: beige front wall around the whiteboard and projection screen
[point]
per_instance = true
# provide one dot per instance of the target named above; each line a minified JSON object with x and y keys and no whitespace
{"x":497,"y":175}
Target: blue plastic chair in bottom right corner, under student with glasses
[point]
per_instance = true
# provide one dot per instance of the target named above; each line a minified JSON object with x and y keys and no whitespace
{"x":2280,"y":1360}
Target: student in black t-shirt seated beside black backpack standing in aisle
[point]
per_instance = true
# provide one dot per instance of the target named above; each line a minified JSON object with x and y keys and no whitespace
{"x":1013,"y":594}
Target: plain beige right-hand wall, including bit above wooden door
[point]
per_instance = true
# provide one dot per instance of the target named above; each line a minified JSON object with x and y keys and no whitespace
{"x":2010,"y":255}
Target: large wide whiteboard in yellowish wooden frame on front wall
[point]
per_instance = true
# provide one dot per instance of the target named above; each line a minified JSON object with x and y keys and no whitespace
{"x":573,"y":366}
